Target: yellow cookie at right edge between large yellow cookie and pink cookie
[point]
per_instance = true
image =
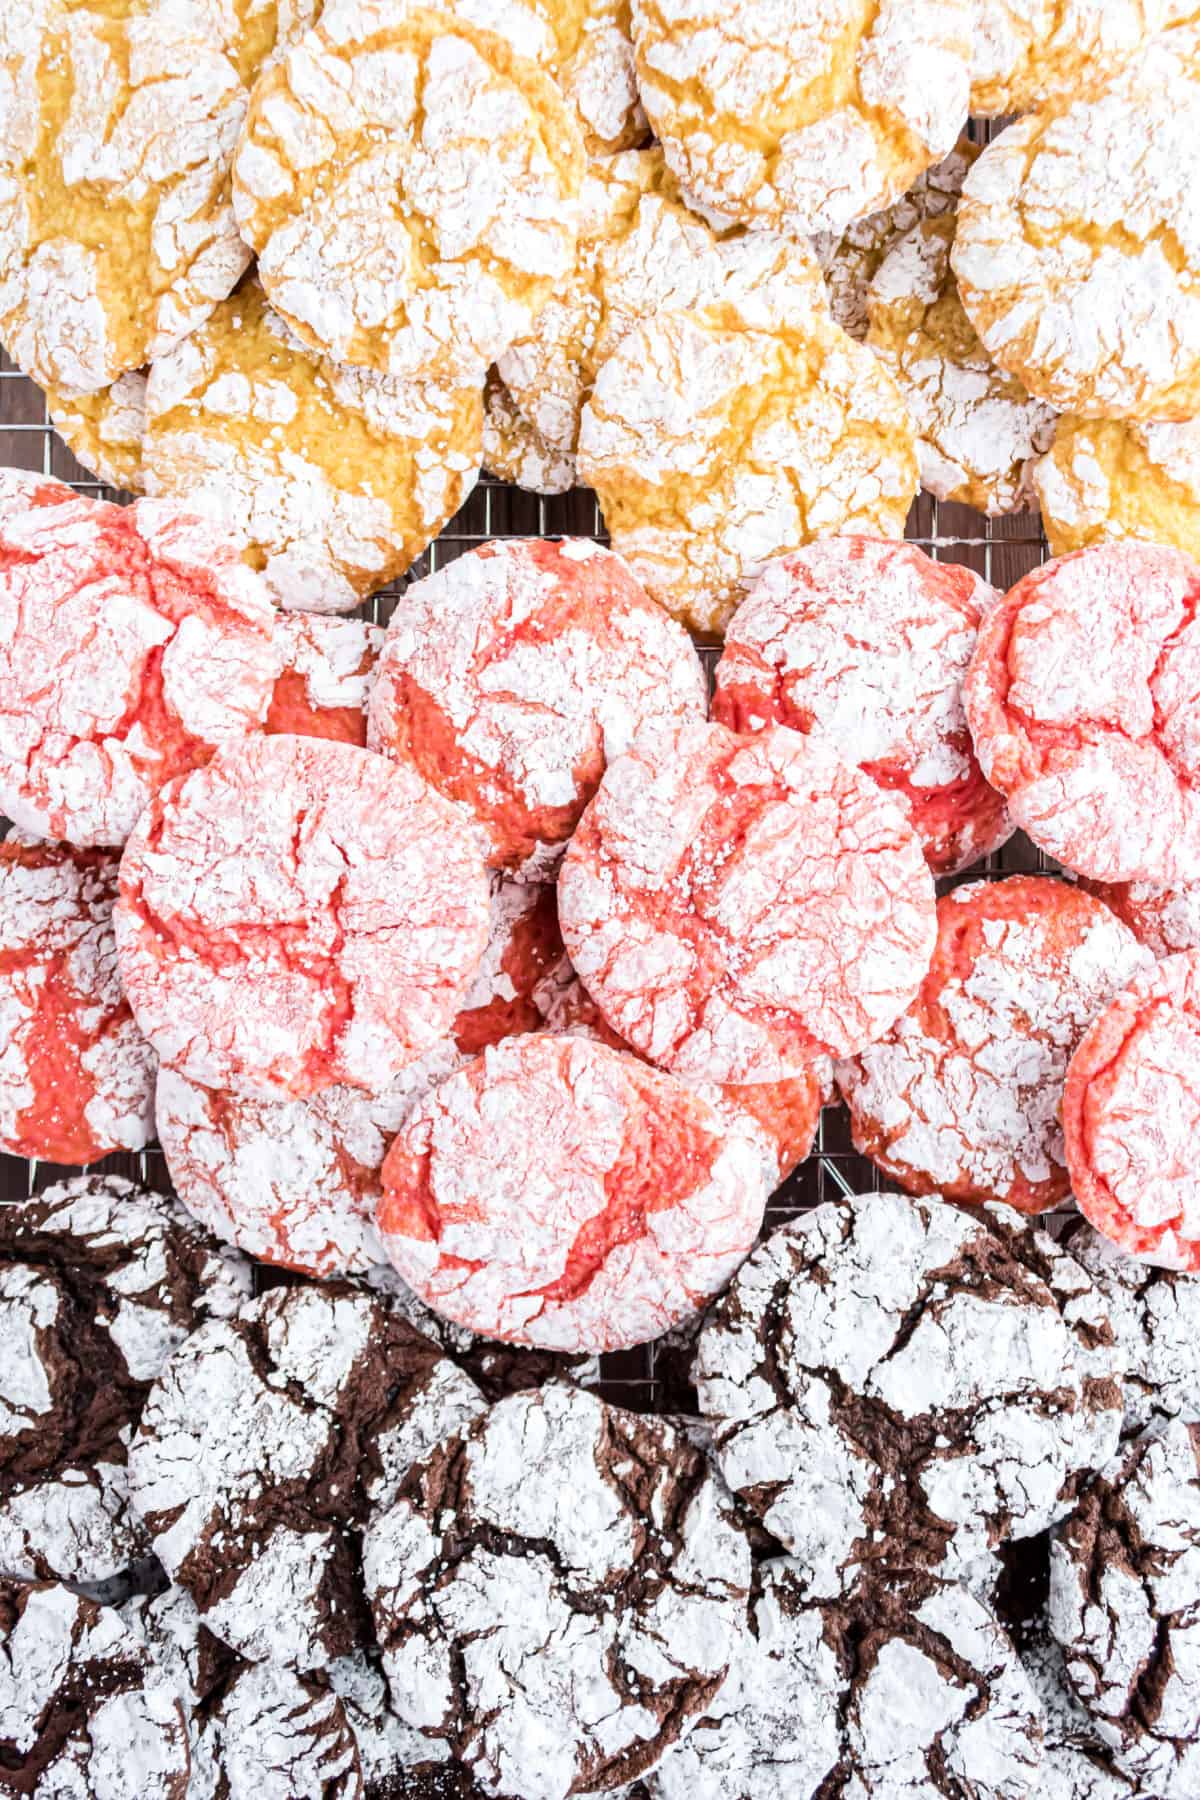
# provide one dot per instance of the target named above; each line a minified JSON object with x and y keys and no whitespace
{"x":1113,"y":480}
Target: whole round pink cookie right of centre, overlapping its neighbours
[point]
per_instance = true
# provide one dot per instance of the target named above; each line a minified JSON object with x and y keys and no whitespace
{"x":739,"y":906}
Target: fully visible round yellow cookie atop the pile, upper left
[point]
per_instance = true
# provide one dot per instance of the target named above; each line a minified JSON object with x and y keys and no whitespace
{"x":352,"y":181}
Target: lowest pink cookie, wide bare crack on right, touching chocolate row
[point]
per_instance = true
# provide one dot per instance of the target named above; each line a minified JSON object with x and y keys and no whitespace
{"x":566,"y":1196}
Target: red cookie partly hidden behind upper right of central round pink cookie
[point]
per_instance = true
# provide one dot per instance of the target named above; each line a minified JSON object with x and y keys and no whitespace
{"x":866,"y":643}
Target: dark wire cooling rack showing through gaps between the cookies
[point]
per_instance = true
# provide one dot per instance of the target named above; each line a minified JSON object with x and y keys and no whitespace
{"x":999,"y":550}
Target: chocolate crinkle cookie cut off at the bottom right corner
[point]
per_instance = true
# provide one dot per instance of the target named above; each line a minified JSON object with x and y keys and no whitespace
{"x":1125,"y":1583}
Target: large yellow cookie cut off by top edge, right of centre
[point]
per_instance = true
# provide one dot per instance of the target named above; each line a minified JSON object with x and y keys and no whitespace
{"x":803,"y":118}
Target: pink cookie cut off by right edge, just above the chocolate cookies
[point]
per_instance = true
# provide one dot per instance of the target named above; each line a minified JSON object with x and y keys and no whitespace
{"x":1133,"y":1117}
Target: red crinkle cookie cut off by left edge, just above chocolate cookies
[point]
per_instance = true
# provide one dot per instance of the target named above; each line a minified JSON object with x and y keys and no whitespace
{"x":76,"y":1075}
